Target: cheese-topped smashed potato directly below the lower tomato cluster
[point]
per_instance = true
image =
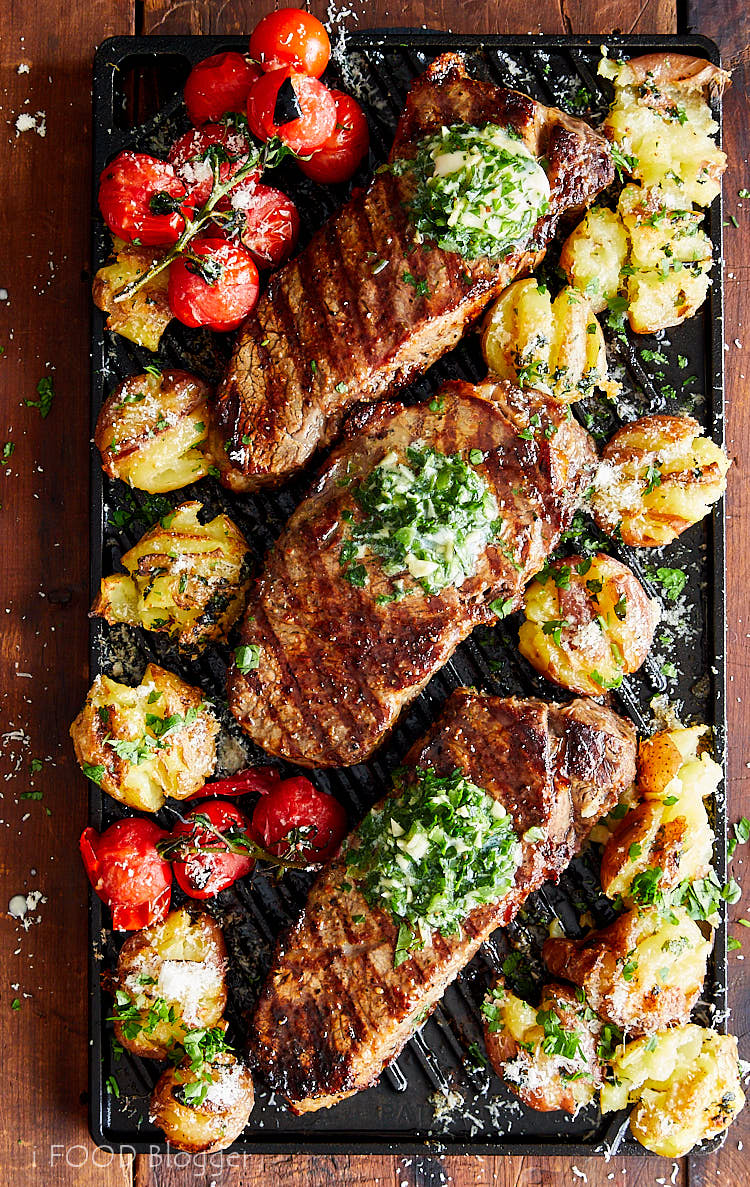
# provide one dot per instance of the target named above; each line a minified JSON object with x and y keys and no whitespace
{"x":170,"y":980}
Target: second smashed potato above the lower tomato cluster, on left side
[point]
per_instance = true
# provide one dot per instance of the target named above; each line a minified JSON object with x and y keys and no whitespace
{"x":186,"y":579}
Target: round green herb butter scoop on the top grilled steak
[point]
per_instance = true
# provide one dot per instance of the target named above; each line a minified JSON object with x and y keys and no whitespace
{"x":480,"y":192}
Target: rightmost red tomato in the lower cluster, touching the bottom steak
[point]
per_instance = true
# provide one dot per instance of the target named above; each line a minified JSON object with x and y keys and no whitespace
{"x":295,"y":818}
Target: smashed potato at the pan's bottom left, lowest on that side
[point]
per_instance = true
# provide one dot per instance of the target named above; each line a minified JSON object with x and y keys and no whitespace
{"x":204,"y":1112}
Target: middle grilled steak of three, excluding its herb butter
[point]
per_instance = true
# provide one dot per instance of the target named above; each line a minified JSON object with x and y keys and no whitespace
{"x":339,"y":663}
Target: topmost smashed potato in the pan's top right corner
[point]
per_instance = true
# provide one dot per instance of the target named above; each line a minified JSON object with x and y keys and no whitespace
{"x":663,"y":123}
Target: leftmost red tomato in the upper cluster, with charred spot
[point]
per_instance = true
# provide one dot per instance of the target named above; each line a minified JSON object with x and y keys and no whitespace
{"x":143,"y":200}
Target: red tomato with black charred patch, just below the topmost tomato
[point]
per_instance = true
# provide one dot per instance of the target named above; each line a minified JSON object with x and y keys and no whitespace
{"x":302,"y":134}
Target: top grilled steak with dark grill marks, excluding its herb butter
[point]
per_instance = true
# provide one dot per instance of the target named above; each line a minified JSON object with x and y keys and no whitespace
{"x":338,"y":327}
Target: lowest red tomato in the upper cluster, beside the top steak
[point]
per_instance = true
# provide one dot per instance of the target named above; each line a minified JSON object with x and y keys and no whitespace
{"x":214,"y":284}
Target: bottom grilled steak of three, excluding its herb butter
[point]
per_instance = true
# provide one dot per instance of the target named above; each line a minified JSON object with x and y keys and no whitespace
{"x":334,"y":1011}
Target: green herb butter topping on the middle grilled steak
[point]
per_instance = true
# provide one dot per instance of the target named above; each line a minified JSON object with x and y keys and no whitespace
{"x":431,"y":518}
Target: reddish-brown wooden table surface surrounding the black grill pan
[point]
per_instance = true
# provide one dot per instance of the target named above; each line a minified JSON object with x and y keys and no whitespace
{"x":45,"y":256}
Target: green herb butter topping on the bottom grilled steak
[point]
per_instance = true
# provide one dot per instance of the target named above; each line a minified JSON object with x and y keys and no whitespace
{"x":433,"y":854}
